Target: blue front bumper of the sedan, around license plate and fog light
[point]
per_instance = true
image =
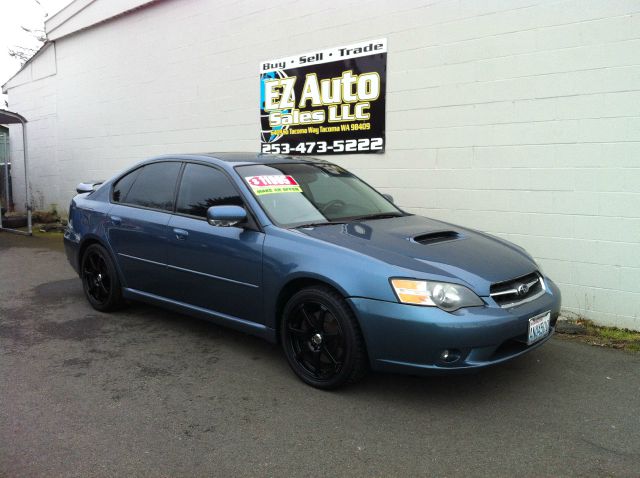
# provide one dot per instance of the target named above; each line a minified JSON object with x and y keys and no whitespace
{"x":410,"y":339}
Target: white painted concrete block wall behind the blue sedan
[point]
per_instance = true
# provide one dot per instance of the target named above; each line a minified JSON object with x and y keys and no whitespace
{"x":516,"y":117}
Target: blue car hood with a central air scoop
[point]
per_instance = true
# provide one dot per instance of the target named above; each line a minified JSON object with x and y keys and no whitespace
{"x":432,"y":248}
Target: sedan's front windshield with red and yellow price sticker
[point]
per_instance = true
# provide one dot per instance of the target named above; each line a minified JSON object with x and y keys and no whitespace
{"x":303,"y":194}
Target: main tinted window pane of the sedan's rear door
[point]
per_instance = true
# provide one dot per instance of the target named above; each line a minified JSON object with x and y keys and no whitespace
{"x":155,"y":186}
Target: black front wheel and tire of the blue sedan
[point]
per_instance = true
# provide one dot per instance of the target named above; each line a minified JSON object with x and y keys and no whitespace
{"x":322,"y":340}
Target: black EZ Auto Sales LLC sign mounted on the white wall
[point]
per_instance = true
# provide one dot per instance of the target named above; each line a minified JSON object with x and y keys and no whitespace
{"x":325,"y":102}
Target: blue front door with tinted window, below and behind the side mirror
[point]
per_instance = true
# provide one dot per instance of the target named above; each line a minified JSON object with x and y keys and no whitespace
{"x":217,"y":268}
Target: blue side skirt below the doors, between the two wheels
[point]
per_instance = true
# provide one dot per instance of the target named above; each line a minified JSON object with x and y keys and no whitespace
{"x":224,"y":320}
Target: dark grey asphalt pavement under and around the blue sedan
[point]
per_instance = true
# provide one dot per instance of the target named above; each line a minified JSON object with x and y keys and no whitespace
{"x":146,"y":392}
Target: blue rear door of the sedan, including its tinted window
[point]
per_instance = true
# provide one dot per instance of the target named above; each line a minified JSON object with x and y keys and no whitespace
{"x":137,"y":224}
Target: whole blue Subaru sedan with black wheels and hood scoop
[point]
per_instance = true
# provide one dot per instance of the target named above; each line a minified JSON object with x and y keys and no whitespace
{"x":301,"y":252}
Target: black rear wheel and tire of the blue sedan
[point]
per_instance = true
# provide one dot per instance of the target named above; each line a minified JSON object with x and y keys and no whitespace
{"x":100,"y":280}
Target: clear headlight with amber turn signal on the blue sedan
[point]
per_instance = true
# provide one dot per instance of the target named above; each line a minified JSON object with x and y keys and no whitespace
{"x":449,"y":297}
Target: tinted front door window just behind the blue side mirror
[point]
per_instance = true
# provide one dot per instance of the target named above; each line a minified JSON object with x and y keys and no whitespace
{"x":203,"y":187}
